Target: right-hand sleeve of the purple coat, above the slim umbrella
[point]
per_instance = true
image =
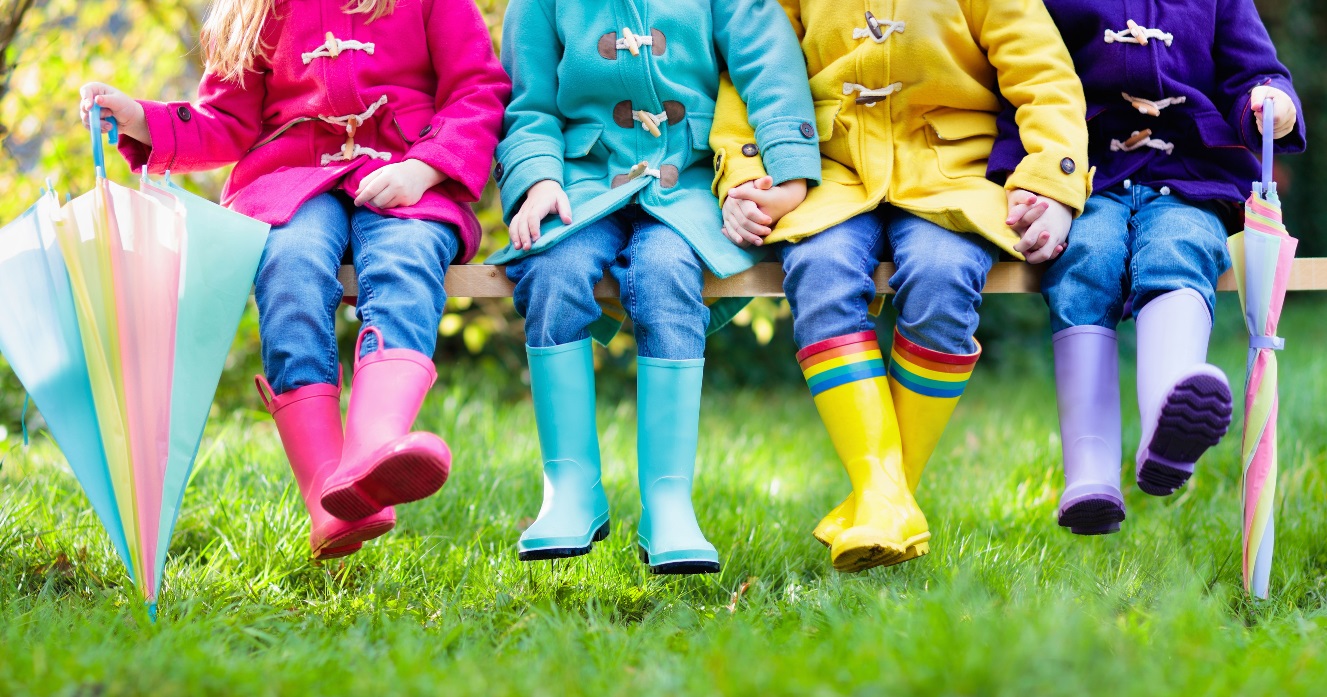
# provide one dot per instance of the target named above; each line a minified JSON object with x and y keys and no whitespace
{"x":1247,"y":59}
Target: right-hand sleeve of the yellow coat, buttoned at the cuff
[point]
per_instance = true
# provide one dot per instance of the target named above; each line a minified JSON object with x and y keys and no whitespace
{"x":1037,"y":76}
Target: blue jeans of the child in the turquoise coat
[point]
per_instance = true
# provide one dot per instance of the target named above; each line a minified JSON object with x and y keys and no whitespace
{"x":660,"y":278}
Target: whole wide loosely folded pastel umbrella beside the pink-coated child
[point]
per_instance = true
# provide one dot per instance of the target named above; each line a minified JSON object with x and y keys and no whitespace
{"x":120,"y":310}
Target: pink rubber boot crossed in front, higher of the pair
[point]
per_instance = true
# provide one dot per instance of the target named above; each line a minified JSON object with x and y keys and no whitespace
{"x":383,"y":463}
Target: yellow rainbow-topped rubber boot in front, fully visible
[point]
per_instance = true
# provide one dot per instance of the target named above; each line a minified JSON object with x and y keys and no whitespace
{"x":847,"y":380}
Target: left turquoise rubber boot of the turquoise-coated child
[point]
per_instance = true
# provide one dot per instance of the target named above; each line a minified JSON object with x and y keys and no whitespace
{"x":575,"y":512}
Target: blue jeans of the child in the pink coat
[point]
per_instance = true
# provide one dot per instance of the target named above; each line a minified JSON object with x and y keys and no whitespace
{"x":400,"y":266}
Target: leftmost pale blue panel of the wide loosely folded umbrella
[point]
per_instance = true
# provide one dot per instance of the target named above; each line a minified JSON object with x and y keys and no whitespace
{"x":40,"y":338}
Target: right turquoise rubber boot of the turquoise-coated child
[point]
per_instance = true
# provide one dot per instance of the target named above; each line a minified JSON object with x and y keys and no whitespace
{"x":668,"y":426}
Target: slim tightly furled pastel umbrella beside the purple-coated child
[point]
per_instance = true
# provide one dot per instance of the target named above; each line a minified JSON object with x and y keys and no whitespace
{"x":1263,"y":258}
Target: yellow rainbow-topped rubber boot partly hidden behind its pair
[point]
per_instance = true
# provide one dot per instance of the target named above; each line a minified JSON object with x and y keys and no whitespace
{"x":926,"y":387}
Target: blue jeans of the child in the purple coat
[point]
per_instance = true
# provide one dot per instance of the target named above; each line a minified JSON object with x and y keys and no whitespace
{"x":1138,"y":241}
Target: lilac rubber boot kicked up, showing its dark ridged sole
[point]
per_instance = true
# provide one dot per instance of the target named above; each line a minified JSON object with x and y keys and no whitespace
{"x":1184,"y":403}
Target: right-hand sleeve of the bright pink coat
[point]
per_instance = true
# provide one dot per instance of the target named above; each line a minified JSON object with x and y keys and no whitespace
{"x":472,"y":94}
